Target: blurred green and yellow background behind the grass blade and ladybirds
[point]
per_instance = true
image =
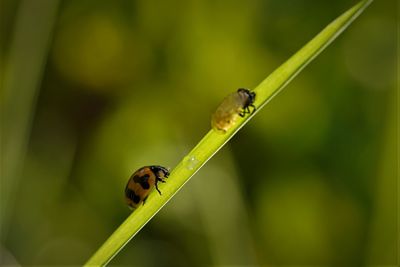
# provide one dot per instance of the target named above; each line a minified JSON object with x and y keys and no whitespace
{"x":93,"y":90}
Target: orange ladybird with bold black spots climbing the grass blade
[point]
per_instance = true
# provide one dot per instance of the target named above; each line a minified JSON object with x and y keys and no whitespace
{"x":142,"y":182}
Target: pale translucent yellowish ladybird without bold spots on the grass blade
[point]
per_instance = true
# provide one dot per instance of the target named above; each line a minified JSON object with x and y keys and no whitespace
{"x":234,"y":105}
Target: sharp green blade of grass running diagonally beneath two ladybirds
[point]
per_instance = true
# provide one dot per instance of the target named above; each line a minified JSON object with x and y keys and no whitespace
{"x":214,"y":141}
